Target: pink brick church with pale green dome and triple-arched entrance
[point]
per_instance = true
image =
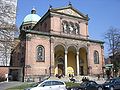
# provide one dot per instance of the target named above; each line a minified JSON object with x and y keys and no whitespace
{"x":58,"y":44}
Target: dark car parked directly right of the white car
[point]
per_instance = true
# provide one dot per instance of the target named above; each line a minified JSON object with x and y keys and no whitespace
{"x":87,"y":85}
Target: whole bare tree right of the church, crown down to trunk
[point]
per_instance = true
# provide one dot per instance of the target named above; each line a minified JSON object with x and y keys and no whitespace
{"x":113,"y":42}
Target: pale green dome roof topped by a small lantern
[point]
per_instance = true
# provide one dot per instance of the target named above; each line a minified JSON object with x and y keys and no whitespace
{"x":32,"y":18}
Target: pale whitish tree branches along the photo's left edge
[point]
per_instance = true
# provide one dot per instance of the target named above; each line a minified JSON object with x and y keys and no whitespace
{"x":7,"y":29}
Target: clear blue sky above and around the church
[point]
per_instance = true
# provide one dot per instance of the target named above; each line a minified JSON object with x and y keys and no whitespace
{"x":103,"y":14}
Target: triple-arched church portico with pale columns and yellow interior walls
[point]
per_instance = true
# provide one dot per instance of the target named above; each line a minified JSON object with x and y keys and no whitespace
{"x":70,"y":60}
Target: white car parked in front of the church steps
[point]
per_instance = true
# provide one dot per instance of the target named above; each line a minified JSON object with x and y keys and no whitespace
{"x":50,"y":85}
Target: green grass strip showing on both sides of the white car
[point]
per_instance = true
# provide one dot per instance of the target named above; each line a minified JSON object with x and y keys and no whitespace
{"x":27,"y":85}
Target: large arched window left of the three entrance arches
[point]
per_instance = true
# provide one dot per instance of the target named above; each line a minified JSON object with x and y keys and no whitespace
{"x":40,"y":53}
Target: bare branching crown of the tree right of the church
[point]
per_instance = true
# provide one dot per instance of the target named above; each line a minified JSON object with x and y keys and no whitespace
{"x":113,"y":40}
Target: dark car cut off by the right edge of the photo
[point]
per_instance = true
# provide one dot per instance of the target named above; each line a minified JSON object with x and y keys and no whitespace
{"x":112,"y":84}
